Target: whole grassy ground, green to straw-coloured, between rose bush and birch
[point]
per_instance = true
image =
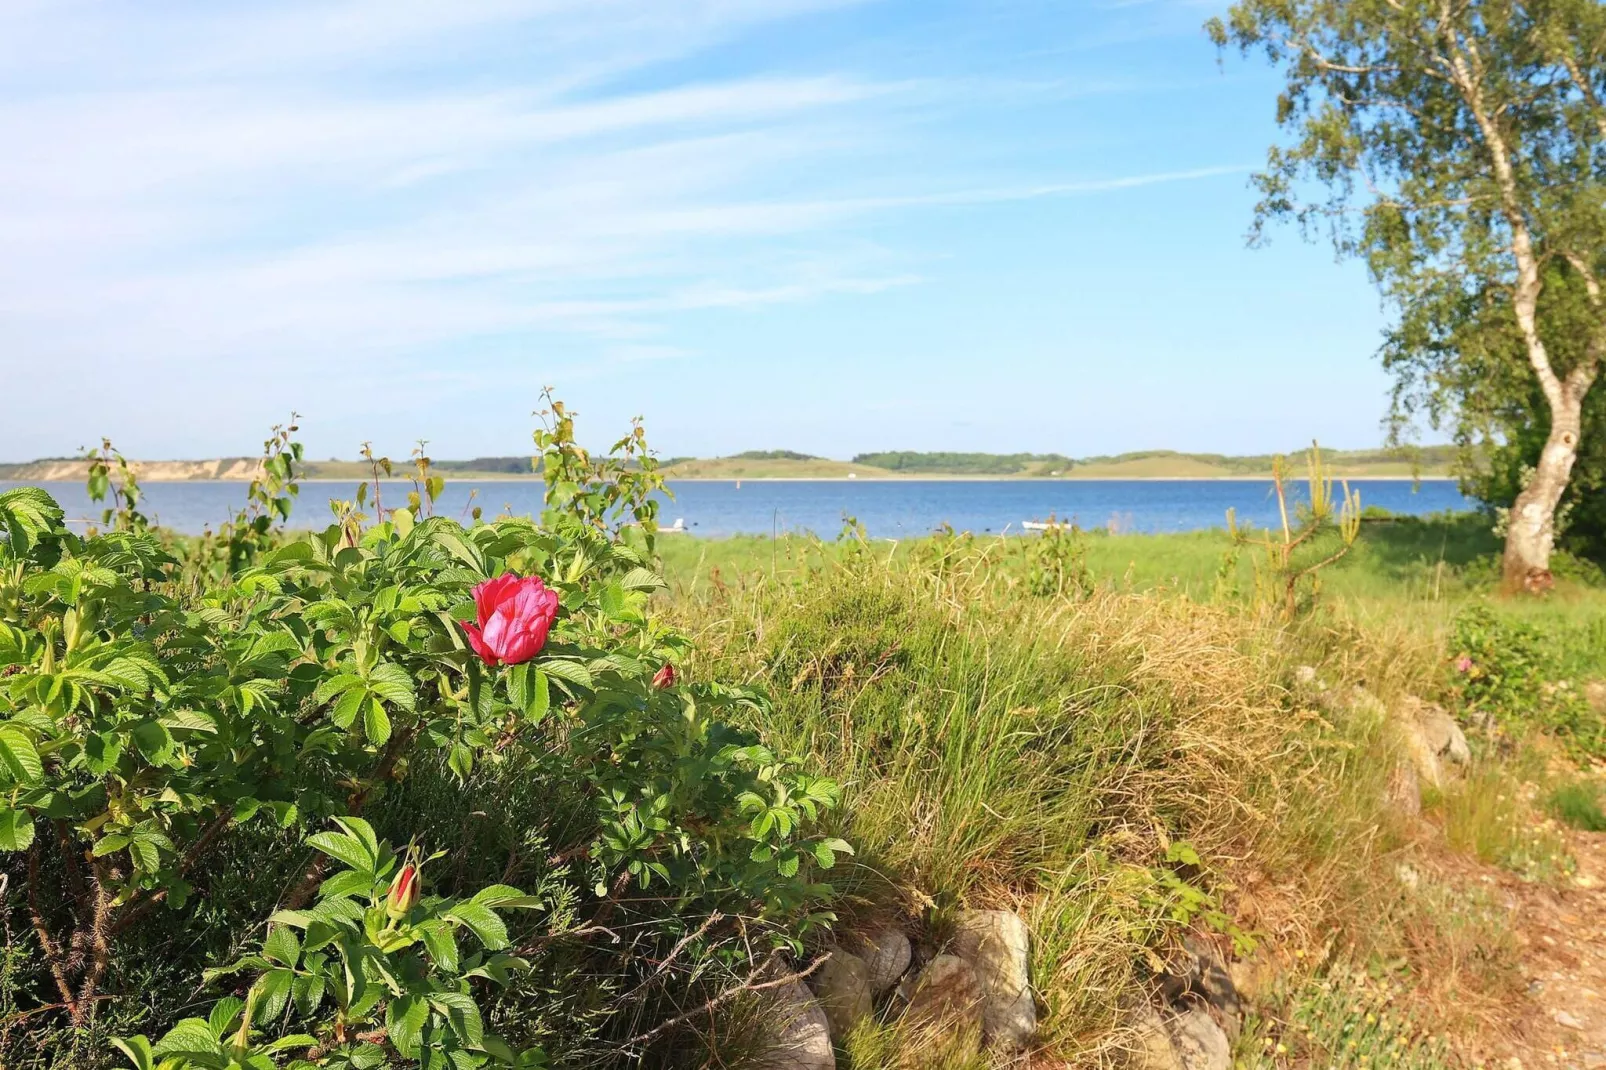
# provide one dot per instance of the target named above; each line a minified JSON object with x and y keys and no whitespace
{"x":1006,"y":745}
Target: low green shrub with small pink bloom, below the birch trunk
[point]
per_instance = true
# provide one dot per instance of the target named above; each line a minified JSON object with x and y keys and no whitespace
{"x":1509,"y":669}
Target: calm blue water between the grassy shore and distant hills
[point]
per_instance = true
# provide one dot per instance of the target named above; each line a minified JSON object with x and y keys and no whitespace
{"x":889,"y":510}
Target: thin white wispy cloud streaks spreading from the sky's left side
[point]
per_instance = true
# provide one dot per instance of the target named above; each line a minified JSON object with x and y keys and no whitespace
{"x":344,"y":189}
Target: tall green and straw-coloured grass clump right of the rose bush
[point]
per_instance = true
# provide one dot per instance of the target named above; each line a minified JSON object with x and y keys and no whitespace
{"x":1041,"y":754}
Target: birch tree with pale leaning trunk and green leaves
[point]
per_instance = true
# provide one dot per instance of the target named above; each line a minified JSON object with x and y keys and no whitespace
{"x":1457,"y":147}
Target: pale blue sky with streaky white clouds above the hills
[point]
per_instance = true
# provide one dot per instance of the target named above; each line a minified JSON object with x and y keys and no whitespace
{"x":825,"y":226}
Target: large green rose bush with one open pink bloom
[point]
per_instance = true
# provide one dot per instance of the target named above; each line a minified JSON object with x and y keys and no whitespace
{"x":168,"y":708}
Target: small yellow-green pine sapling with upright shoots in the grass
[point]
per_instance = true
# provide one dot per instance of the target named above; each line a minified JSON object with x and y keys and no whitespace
{"x":1289,"y":563}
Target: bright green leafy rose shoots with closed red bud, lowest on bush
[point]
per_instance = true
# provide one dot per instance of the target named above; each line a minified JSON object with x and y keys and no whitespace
{"x":370,"y":974}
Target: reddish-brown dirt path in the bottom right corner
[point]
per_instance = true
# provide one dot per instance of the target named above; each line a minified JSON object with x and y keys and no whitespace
{"x":1563,"y":939}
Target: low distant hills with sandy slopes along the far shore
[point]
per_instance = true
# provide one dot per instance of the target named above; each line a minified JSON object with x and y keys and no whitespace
{"x":793,"y":465}
